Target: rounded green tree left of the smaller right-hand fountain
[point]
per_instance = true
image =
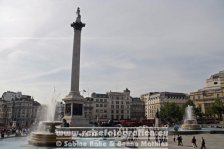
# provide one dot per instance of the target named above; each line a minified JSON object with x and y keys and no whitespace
{"x":170,"y":113}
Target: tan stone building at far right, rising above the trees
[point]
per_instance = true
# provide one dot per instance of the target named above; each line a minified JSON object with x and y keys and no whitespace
{"x":214,"y":89}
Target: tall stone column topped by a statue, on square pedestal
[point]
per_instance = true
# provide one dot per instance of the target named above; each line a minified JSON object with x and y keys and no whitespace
{"x":74,"y":102}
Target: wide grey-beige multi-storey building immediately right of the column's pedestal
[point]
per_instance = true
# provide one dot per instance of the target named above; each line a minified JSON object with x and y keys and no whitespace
{"x":110,"y":106}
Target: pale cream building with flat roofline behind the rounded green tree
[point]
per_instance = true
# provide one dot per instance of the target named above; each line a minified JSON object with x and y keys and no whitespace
{"x":154,"y":101}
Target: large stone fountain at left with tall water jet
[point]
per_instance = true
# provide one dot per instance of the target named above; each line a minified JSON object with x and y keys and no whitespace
{"x":45,"y":134}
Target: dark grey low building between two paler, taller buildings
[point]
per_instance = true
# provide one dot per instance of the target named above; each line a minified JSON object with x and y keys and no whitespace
{"x":137,"y":109}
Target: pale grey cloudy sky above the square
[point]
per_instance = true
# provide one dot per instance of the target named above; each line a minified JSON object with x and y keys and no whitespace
{"x":144,"y":45}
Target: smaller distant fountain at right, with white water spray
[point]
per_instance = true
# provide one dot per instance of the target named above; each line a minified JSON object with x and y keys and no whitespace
{"x":190,"y":122}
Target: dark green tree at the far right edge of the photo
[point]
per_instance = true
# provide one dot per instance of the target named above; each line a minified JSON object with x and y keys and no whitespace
{"x":218,"y":108}
